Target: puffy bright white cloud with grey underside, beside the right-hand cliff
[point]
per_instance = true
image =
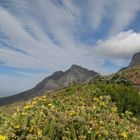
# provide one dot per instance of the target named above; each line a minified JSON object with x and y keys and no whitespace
{"x":119,"y":48}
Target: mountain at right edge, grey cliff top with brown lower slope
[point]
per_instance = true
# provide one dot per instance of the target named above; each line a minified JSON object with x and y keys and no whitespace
{"x":133,"y":70}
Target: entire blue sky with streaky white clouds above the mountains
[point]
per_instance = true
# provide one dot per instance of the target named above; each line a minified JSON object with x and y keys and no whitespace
{"x":39,"y":37}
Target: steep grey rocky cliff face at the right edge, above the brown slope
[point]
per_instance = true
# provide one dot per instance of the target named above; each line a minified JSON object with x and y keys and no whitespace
{"x":135,"y":60}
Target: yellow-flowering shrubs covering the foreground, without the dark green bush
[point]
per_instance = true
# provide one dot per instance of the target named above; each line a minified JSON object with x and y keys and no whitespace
{"x":75,"y":116}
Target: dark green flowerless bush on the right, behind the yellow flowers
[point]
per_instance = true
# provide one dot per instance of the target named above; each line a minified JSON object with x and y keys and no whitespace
{"x":126,"y":97}
